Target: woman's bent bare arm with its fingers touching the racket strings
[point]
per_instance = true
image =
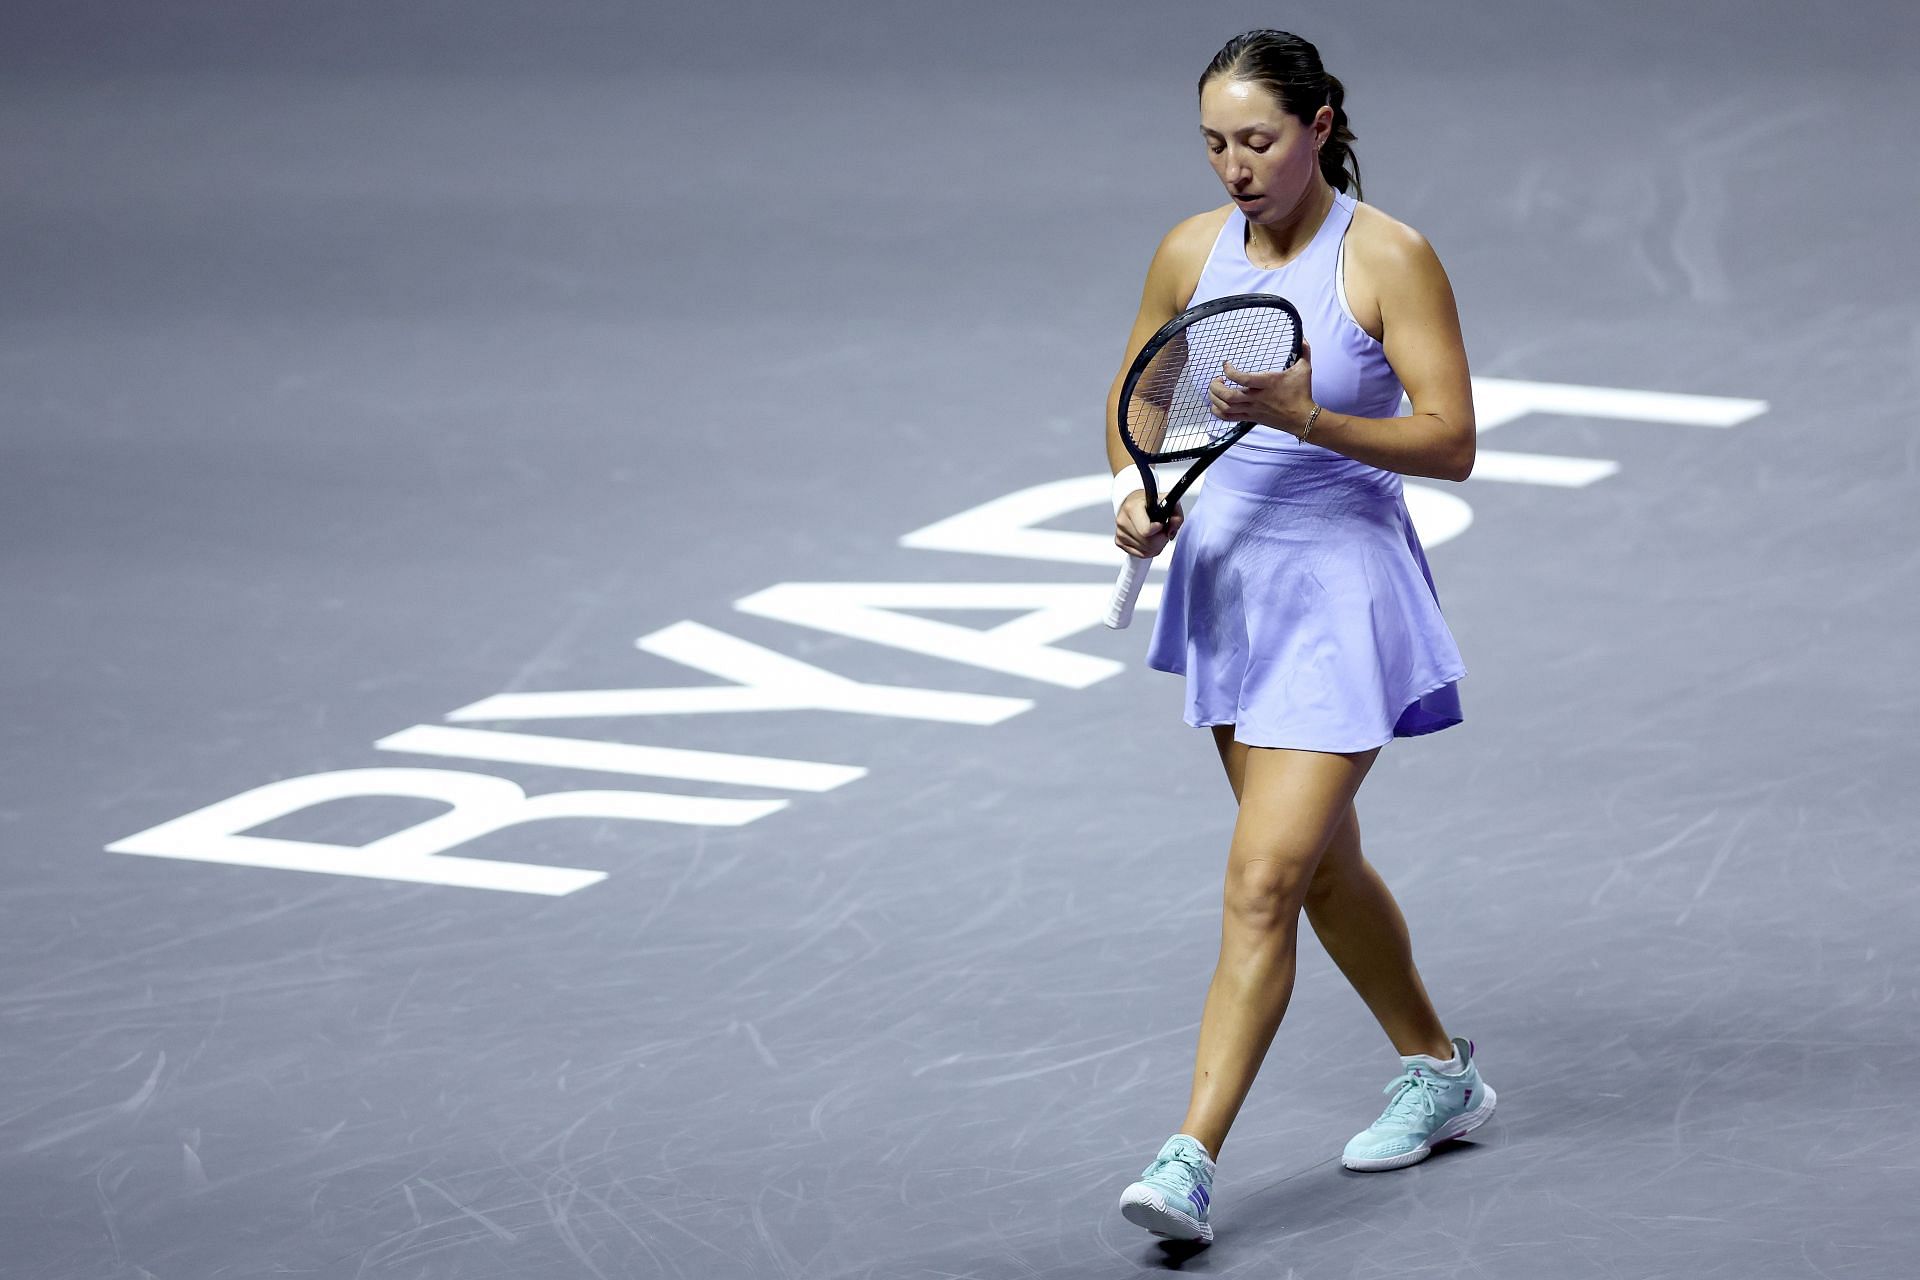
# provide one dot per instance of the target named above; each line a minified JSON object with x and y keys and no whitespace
{"x":1420,"y":333}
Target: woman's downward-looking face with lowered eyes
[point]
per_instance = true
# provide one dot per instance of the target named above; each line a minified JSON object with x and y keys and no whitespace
{"x":1264,"y":158}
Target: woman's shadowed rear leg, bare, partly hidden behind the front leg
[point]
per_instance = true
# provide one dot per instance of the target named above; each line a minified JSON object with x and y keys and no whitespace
{"x":1362,"y":928}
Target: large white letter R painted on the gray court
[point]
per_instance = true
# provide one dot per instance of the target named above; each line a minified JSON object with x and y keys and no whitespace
{"x":418,"y":855}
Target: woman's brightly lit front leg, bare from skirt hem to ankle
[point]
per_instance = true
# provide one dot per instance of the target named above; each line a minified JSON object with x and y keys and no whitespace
{"x":1291,"y":805}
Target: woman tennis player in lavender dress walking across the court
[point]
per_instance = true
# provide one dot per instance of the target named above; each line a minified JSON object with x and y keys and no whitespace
{"x":1299,"y":602}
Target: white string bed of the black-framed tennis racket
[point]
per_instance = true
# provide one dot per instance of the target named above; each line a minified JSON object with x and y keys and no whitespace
{"x":1168,"y":410}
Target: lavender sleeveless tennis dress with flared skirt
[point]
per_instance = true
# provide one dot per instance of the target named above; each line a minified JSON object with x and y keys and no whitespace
{"x":1299,"y":602}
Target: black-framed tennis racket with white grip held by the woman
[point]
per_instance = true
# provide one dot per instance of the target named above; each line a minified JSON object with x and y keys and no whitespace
{"x":1164,"y":412}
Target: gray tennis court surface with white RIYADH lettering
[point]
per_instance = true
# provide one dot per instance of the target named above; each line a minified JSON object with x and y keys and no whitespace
{"x":362,"y":364}
